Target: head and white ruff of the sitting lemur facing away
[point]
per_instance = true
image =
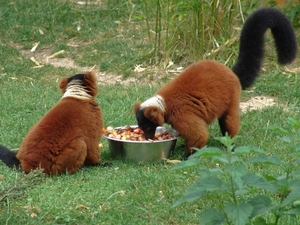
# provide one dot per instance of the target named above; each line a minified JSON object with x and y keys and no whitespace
{"x":79,"y":86}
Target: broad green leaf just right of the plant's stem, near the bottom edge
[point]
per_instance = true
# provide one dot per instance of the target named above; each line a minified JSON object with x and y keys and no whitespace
{"x":261,"y":204}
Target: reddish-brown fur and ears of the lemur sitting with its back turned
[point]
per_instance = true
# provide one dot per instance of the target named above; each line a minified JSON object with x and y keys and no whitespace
{"x":67,"y":136}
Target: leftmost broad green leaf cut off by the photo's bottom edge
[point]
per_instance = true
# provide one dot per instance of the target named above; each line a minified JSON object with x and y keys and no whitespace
{"x":212,"y":217}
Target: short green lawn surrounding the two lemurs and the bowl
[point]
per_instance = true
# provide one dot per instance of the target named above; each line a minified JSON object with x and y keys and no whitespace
{"x":113,"y":38}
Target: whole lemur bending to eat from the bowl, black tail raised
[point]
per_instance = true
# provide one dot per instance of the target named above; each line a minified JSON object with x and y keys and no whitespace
{"x":209,"y":90}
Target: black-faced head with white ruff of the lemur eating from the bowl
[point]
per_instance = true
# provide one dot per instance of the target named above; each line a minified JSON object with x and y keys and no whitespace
{"x":150,"y":115}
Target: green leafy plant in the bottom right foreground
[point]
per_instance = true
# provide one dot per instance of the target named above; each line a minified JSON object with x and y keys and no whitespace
{"x":250,"y":196}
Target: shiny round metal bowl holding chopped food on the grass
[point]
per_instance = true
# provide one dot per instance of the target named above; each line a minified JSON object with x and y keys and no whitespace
{"x":143,"y":151}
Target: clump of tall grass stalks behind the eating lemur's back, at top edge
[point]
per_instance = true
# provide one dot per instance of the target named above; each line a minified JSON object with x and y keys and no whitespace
{"x":184,"y":31}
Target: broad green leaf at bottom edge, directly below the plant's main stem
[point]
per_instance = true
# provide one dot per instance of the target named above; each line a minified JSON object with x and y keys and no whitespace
{"x":239,"y":214}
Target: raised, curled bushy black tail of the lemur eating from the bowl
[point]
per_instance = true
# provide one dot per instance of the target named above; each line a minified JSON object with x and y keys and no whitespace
{"x":251,"y":50}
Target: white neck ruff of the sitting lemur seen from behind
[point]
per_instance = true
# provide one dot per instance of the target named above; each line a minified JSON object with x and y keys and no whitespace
{"x":76,"y":90}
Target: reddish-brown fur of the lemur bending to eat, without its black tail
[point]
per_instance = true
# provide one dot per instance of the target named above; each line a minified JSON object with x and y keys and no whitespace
{"x":190,"y":104}
